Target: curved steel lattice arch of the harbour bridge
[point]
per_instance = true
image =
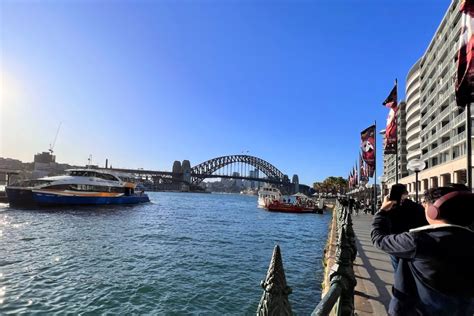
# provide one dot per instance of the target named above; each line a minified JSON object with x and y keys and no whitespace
{"x":212,"y":165}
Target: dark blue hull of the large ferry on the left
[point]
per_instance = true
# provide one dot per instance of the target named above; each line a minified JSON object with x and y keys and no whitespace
{"x":28,"y":198}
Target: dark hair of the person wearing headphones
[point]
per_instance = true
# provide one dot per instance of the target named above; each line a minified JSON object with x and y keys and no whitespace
{"x":458,"y":211}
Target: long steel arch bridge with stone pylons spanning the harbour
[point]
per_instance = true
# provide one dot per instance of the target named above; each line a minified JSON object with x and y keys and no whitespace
{"x":183,"y":177}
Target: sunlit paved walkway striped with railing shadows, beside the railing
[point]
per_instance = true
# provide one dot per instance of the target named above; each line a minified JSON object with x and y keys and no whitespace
{"x":373,"y":270}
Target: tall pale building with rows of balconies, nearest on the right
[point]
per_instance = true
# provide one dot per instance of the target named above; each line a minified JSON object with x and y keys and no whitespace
{"x":435,"y":125}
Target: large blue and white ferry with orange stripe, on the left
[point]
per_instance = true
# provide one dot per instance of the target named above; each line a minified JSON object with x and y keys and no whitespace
{"x":77,"y":187}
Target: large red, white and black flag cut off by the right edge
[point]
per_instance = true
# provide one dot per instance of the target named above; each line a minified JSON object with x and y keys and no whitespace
{"x":465,"y":67}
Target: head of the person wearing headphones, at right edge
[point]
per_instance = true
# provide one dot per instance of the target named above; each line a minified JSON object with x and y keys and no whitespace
{"x":453,"y":204}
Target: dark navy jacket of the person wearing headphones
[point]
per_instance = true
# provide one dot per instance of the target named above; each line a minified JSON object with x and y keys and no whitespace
{"x":435,"y":275}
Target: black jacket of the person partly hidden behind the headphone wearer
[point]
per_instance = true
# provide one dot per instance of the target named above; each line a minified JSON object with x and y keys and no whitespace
{"x":407,"y":216}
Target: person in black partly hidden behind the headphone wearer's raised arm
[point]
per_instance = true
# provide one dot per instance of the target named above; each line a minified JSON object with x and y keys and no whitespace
{"x":405,"y":214}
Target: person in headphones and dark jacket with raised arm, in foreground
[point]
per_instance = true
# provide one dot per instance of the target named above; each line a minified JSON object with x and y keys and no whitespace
{"x":435,"y":275}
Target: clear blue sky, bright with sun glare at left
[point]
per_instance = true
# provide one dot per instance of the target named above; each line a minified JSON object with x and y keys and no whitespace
{"x":144,"y":83}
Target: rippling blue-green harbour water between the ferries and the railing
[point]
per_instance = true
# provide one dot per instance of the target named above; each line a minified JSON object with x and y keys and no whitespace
{"x":181,"y":254}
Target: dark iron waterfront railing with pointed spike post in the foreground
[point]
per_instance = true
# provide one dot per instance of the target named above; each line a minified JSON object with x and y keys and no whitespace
{"x":339,"y":299}
